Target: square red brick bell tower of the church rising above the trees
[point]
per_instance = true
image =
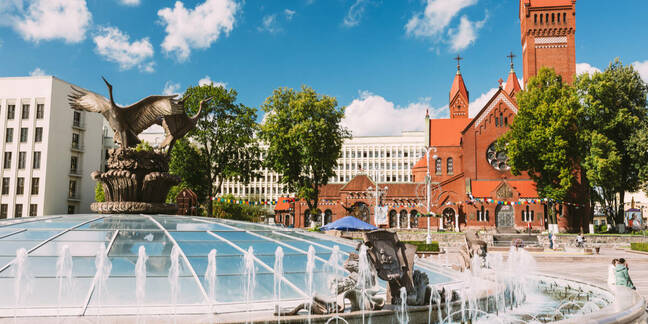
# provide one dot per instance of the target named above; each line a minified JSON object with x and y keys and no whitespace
{"x":548,"y":30}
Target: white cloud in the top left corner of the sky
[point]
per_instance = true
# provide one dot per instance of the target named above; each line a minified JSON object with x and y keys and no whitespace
{"x":48,"y":19}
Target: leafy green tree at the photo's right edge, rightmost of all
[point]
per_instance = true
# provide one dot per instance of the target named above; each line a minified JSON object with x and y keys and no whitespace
{"x":614,"y":103}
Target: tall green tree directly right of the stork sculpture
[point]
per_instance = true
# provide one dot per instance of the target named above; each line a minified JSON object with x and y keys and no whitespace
{"x":223,"y":143}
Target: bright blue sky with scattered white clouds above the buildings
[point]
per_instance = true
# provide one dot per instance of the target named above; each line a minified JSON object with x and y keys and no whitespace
{"x":388,"y":61}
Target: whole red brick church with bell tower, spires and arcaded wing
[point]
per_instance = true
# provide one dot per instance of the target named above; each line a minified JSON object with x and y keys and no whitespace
{"x":471,"y":185}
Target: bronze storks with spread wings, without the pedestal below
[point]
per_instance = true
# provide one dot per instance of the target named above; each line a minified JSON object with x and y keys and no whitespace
{"x":128,"y":122}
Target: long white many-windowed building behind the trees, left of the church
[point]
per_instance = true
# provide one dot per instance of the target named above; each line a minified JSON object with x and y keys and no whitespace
{"x":391,"y":157}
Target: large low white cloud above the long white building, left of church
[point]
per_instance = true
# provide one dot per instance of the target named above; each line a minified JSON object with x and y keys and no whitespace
{"x":372,"y":115}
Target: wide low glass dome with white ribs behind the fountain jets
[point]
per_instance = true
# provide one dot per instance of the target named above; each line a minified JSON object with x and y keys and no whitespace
{"x":39,"y":285}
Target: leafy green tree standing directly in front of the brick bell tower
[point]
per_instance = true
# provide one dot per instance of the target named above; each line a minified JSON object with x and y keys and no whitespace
{"x":545,"y":139}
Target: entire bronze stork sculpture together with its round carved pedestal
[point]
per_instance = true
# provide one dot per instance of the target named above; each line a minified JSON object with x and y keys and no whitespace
{"x":137,"y":181}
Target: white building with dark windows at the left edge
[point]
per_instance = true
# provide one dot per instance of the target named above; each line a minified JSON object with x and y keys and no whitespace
{"x":48,"y":150}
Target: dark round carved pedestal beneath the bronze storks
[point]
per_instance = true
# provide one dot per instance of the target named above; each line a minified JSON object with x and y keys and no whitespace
{"x":137,"y":182}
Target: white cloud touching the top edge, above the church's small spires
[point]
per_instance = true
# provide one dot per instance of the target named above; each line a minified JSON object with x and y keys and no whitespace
{"x":436,"y":17}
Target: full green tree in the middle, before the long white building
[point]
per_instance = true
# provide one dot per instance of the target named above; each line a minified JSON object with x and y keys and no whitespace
{"x":304,"y":137}
